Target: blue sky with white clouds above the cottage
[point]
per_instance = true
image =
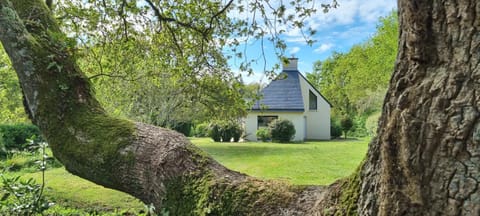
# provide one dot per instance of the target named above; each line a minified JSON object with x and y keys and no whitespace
{"x":353,"y":22}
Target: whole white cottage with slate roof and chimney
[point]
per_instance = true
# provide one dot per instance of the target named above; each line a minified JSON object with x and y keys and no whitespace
{"x":291,"y":97}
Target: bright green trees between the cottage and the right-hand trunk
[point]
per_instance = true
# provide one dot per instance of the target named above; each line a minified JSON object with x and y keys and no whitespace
{"x":355,"y":82}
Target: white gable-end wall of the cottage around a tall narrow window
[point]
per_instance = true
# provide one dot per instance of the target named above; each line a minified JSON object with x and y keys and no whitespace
{"x":318,"y":121}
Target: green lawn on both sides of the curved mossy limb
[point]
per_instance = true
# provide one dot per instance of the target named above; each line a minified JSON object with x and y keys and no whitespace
{"x":301,"y":163}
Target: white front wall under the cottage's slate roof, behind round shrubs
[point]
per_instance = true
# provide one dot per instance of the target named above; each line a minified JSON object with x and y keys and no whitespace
{"x":297,"y":119}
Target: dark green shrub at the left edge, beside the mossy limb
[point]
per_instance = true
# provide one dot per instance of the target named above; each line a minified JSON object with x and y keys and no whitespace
{"x":14,"y":137}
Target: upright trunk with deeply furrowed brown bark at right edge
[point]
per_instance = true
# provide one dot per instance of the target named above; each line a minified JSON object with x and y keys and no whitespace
{"x":426,"y":160}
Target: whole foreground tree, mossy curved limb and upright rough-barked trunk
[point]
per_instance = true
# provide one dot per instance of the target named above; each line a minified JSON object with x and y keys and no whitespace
{"x":425,"y":160}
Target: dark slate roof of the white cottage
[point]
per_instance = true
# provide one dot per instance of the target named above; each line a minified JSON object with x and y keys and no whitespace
{"x":282,"y":94}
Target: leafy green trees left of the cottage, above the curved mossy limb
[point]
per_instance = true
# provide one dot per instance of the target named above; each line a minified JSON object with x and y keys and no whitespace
{"x":140,"y":71}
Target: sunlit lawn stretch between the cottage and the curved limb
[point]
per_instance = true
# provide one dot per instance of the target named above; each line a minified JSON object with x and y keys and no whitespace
{"x":318,"y":162}
